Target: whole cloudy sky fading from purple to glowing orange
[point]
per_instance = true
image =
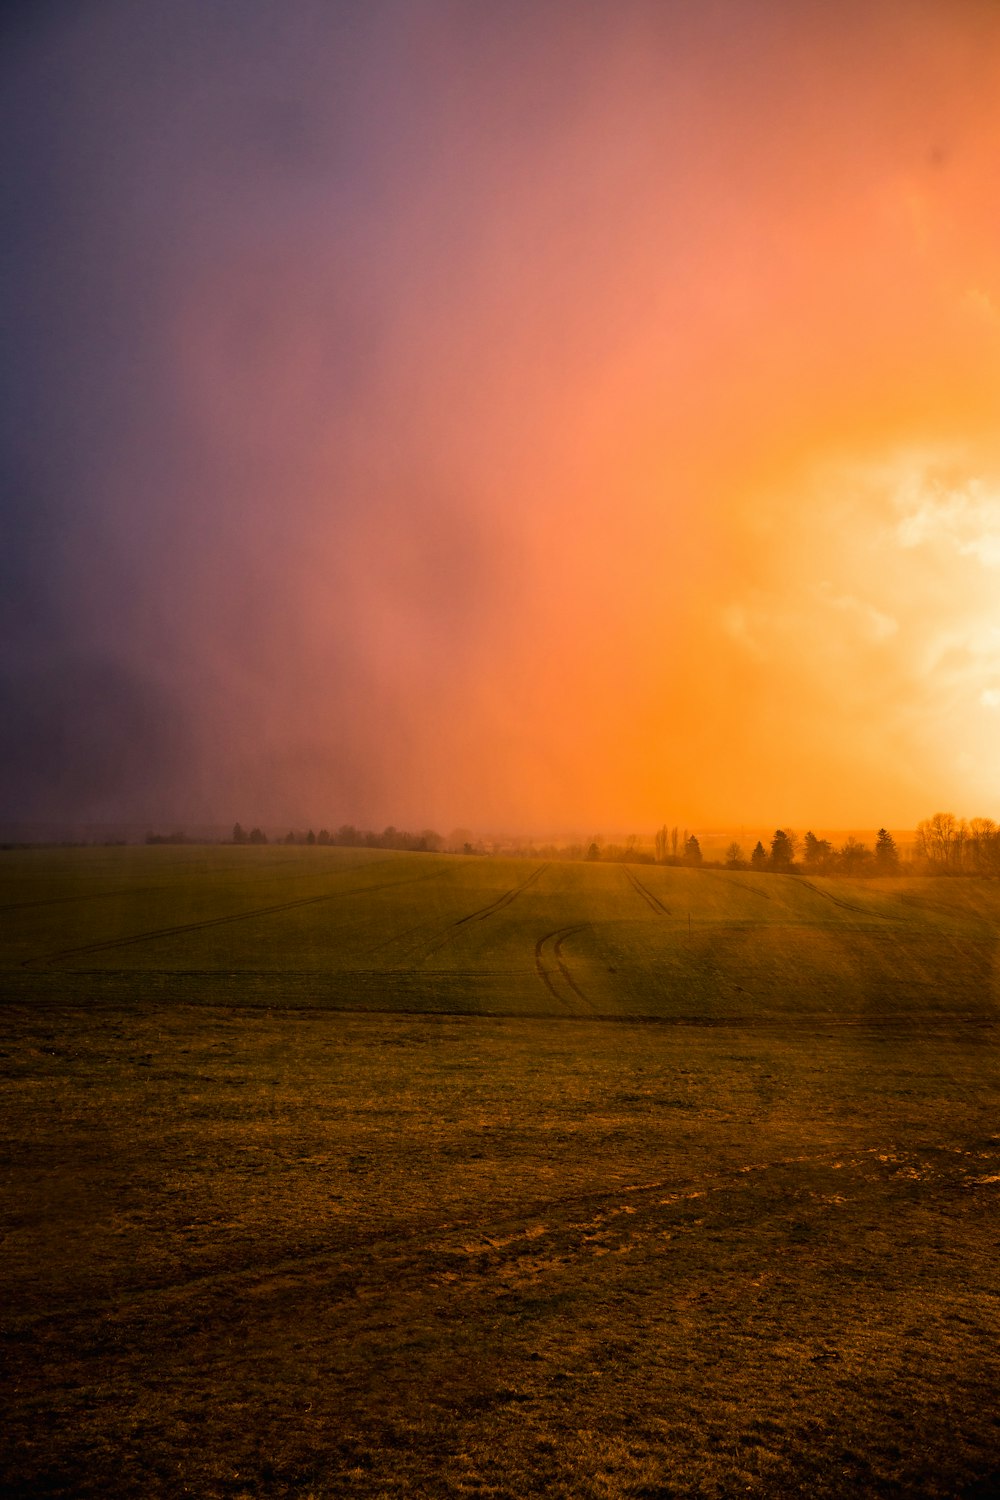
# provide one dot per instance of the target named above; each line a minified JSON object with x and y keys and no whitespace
{"x":534,"y":416}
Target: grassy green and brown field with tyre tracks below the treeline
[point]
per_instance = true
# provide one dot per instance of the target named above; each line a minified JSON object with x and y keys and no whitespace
{"x":359,"y":1174}
